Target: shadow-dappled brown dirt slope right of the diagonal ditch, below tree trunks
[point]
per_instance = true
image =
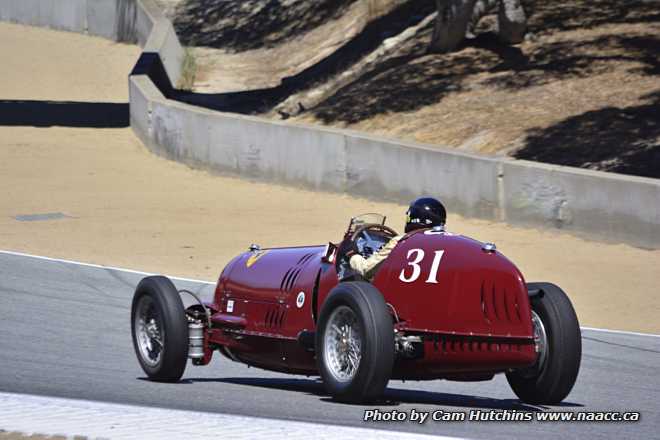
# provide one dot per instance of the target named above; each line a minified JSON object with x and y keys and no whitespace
{"x":584,"y":92}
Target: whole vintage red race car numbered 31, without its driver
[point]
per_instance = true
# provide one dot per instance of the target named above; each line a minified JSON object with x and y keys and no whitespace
{"x":441,"y":306}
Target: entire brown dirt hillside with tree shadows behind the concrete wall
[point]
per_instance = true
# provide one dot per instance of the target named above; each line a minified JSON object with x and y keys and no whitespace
{"x":583,"y":90}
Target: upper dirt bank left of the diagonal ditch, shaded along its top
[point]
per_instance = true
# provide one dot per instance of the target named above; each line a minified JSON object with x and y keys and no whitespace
{"x":255,"y":44}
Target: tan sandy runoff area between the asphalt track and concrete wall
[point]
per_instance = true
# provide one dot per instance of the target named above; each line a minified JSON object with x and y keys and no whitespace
{"x":123,"y":206}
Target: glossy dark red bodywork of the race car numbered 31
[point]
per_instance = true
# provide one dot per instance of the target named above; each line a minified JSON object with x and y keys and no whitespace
{"x":474,"y":322}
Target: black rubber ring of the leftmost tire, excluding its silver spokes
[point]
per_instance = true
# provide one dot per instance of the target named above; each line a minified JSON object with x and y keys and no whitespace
{"x":158,"y":295}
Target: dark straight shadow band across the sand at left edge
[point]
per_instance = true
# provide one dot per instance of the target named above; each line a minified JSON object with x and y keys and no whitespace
{"x":63,"y":114}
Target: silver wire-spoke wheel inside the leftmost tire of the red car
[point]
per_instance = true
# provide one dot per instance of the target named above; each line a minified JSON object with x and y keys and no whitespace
{"x":149,"y":331}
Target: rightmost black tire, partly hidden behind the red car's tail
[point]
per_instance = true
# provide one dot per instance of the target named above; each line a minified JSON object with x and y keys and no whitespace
{"x":552,"y":381}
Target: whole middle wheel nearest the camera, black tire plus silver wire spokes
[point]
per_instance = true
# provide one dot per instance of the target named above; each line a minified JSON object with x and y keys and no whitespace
{"x":355,"y":343}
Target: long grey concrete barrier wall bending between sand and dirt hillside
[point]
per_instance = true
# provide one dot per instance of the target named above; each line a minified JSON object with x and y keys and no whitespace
{"x":590,"y":203}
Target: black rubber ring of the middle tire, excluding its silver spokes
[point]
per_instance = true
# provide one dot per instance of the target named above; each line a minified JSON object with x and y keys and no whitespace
{"x":377,"y":348}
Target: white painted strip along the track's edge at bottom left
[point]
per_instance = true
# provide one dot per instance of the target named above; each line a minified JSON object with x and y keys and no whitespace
{"x":56,"y":416}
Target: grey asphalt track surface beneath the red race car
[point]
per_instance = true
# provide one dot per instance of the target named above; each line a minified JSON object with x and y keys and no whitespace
{"x":65,"y":333}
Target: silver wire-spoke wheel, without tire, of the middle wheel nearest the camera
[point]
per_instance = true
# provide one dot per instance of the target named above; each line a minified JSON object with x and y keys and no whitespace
{"x":343,"y":344}
